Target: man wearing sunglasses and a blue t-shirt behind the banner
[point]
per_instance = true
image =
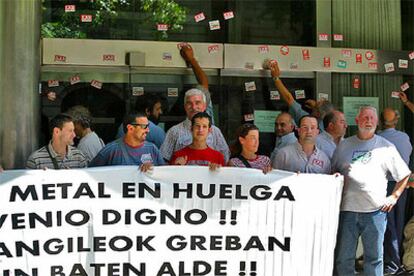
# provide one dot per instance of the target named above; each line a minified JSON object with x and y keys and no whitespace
{"x":132,"y":149}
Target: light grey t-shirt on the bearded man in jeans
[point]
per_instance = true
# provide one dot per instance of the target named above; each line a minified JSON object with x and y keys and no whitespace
{"x":365,"y":164}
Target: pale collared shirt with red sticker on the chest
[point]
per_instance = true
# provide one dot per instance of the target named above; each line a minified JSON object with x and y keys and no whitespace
{"x":293,"y":158}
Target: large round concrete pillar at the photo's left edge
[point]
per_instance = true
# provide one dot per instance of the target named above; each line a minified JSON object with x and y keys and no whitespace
{"x":19,"y":80}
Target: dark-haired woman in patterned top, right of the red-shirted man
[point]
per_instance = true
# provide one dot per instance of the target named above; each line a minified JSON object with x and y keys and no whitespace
{"x":245,"y":148}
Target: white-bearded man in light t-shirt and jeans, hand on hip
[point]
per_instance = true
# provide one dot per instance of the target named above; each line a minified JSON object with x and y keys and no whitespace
{"x":364,"y":160}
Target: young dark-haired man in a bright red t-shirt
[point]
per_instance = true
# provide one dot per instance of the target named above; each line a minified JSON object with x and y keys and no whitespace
{"x":198,"y":152}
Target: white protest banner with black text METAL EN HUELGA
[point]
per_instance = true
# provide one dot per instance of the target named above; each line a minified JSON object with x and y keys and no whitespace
{"x":173,"y":221}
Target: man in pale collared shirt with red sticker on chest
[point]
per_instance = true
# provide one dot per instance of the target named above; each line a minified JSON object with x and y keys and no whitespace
{"x":303,"y":156}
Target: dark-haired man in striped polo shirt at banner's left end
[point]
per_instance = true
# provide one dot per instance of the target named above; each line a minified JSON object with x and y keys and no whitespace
{"x":59,"y":153}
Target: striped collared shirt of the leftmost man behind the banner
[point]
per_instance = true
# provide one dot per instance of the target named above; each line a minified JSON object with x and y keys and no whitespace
{"x":41,"y":159}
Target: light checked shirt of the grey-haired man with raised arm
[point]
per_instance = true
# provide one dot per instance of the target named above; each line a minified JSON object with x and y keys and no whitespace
{"x":179,"y":136}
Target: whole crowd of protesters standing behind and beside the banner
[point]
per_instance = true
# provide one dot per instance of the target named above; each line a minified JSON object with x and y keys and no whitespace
{"x":374,"y":166}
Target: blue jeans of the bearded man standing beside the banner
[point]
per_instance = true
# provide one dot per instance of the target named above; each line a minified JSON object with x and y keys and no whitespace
{"x":371,"y":228}
